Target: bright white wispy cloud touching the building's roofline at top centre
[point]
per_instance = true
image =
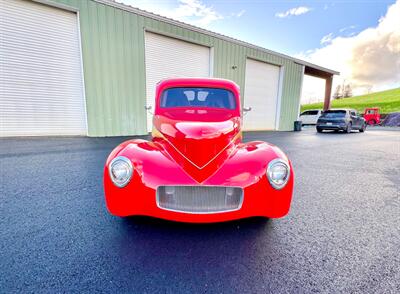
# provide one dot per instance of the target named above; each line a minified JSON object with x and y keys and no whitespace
{"x":194,"y":12}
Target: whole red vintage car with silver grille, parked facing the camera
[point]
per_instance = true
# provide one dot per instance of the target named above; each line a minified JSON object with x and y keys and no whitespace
{"x":196,"y":167}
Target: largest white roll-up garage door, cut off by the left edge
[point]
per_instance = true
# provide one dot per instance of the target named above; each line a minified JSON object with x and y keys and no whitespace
{"x":41,"y":88}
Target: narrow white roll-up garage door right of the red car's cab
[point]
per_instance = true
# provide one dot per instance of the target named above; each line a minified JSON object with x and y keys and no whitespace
{"x":261,"y":94}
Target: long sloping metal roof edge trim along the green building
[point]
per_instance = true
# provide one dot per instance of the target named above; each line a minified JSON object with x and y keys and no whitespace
{"x":183,"y":25}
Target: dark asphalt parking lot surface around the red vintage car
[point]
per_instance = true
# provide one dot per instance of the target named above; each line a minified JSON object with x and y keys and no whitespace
{"x":341,"y":235}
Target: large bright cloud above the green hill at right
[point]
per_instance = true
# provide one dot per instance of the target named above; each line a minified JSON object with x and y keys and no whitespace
{"x":370,"y":58}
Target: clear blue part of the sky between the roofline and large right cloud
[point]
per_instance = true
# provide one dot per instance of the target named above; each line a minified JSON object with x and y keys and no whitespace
{"x":293,"y":34}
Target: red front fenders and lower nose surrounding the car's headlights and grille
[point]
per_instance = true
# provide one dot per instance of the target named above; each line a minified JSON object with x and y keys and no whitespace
{"x":153,"y":167}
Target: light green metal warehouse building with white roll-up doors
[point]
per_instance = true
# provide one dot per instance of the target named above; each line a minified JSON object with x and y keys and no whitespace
{"x":85,"y":67}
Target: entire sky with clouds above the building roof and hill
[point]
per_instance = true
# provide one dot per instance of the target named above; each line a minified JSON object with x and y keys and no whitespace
{"x":359,"y":38}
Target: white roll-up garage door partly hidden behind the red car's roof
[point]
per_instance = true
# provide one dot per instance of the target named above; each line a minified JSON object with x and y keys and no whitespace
{"x":169,"y":58}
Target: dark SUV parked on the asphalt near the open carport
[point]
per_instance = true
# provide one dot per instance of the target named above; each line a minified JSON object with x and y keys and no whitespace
{"x":341,"y":119}
